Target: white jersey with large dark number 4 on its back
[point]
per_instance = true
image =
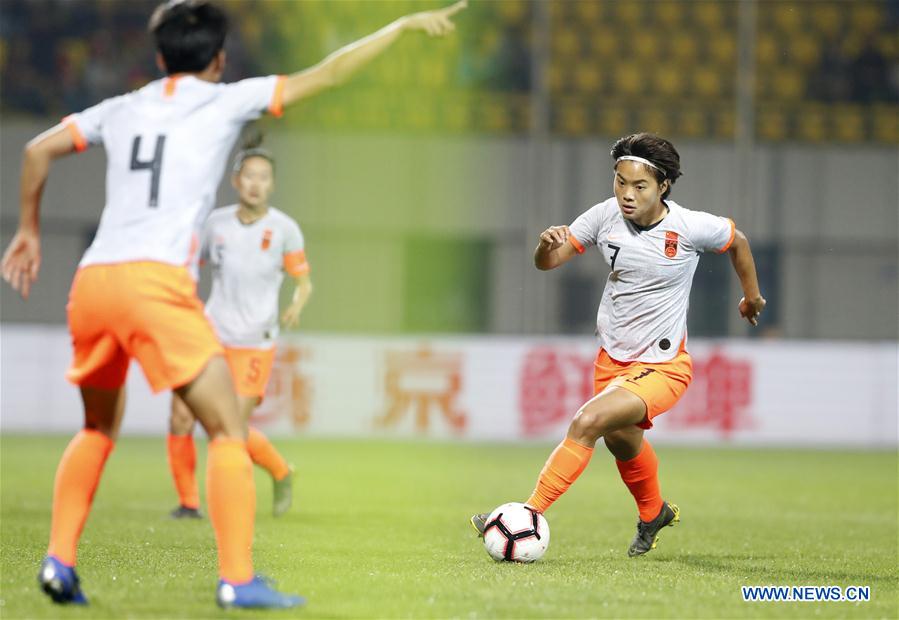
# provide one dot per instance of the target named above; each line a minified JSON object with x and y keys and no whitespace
{"x":166,"y":148}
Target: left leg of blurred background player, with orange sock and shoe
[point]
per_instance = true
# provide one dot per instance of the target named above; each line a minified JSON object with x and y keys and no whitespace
{"x":182,"y":455}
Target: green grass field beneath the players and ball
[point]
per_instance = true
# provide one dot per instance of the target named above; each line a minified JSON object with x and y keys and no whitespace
{"x":381,"y":530}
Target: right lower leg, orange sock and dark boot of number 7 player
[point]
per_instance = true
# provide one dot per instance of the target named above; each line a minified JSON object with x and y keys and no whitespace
{"x":638,"y":467}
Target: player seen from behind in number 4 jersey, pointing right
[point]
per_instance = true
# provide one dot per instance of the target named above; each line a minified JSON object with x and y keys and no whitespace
{"x":134,"y":296}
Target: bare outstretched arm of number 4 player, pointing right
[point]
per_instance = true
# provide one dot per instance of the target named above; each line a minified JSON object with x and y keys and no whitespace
{"x":339,"y":66}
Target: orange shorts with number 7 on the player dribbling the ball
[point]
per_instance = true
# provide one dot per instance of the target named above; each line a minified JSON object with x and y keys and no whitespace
{"x":659,"y":385}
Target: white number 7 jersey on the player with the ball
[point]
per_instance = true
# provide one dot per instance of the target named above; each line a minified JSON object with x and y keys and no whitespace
{"x":643,"y":312}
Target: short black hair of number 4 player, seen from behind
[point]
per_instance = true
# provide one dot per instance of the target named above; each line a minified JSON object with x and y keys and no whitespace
{"x":188,"y":34}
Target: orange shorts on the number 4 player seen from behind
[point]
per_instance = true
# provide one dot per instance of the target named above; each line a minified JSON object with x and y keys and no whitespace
{"x":145,"y":310}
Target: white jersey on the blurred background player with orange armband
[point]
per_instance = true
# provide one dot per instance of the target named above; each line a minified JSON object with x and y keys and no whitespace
{"x":248,"y":265}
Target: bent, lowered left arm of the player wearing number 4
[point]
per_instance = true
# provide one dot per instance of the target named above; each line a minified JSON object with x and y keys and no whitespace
{"x":22,"y":259}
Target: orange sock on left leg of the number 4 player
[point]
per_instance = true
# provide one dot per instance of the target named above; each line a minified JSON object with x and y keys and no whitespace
{"x":77,"y":477}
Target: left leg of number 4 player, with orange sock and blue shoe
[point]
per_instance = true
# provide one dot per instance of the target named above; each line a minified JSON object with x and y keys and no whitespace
{"x":77,"y":477}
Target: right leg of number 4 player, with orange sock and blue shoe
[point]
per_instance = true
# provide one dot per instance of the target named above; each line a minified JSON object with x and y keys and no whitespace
{"x":231,"y":495}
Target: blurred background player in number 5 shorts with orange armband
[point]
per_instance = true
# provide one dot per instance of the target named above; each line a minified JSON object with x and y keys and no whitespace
{"x":250,"y":246}
